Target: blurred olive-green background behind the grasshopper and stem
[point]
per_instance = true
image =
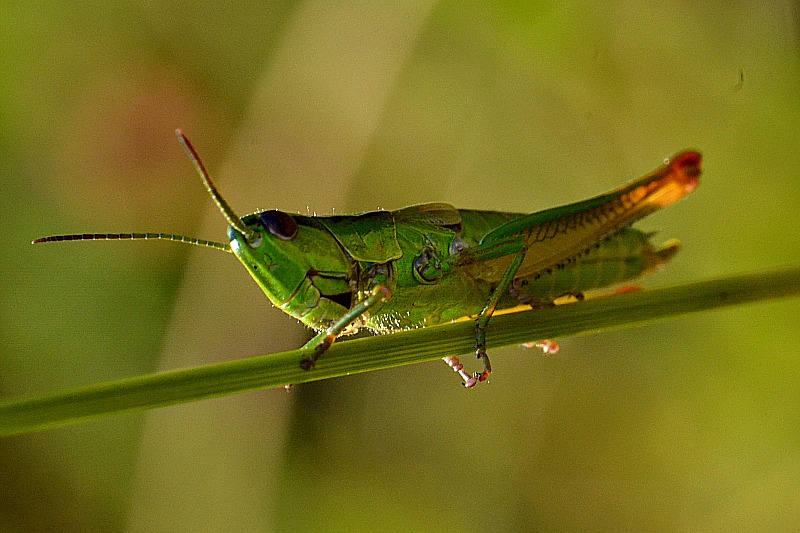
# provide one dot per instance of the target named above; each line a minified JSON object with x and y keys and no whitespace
{"x":689,"y":424}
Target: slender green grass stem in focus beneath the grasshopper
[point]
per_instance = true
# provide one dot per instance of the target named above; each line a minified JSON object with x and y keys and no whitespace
{"x":374,"y":353}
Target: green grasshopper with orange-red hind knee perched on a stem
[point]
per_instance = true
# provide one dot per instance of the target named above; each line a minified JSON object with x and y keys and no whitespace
{"x":432,"y":263}
